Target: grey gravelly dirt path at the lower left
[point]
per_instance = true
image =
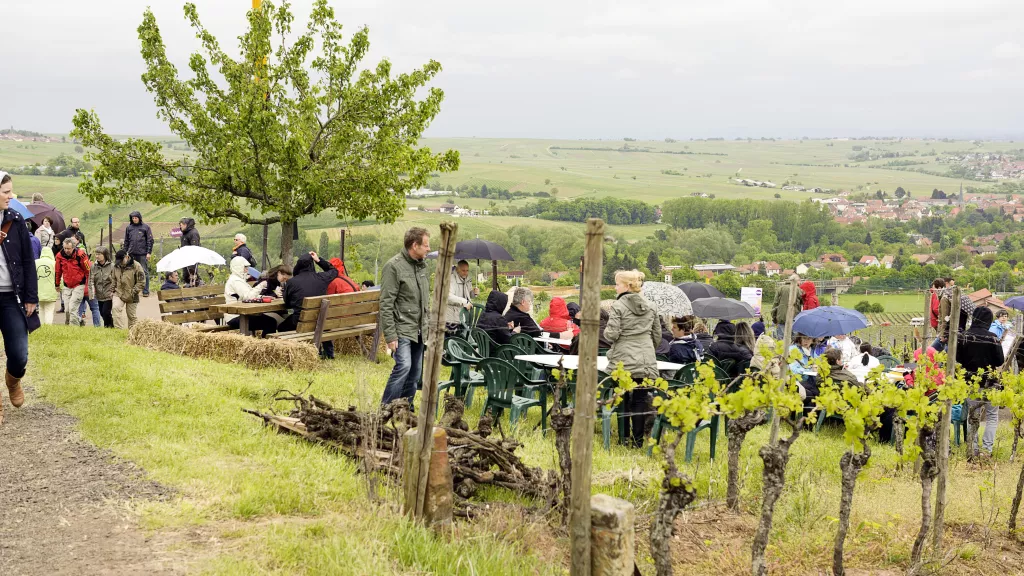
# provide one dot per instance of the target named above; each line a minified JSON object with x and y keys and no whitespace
{"x":63,"y":503}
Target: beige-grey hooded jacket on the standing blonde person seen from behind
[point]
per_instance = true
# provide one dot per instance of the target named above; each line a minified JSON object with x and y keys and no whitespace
{"x":635,"y":332}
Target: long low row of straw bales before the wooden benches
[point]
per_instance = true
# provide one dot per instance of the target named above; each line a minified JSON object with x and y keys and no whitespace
{"x":229,"y":348}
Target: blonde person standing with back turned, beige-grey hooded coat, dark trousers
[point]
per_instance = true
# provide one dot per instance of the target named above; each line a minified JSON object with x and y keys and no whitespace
{"x":635,"y":332}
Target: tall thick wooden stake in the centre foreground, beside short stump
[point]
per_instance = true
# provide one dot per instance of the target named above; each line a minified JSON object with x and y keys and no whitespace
{"x":586,"y":407}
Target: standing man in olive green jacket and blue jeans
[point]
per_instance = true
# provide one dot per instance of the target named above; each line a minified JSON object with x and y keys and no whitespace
{"x":405,"y":309}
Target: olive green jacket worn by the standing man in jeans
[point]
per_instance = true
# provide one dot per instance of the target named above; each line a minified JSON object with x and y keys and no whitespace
{"x":405,"y":299}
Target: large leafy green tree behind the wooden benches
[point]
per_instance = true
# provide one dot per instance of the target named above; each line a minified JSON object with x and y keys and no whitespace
{"x":286,"y":131}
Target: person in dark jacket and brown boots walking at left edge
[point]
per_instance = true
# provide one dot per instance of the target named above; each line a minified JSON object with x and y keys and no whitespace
{"x":19,"y":293}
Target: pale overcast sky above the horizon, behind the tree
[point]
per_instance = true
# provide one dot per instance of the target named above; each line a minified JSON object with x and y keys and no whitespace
{"x":574,"y":69}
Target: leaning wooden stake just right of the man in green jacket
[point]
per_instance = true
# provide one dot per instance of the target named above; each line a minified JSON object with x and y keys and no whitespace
{"x":433,"y":363}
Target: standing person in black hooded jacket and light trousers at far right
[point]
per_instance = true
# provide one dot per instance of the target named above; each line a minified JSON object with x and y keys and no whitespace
{"x":982,"y":353}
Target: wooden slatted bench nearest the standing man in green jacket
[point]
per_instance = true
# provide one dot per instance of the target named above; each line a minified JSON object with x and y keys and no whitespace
{"x":340,"y":316}
